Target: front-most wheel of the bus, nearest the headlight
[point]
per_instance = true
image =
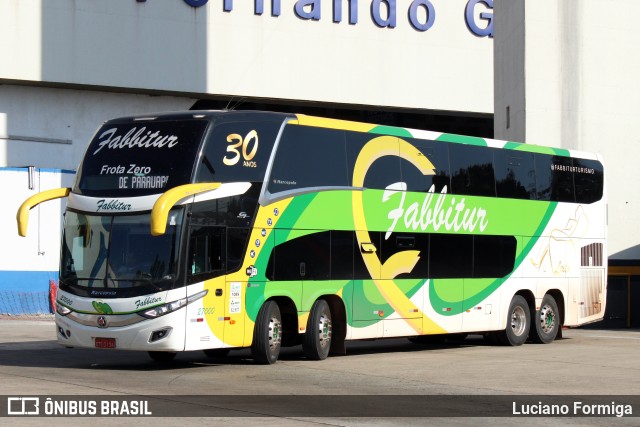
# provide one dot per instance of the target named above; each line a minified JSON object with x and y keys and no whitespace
{"x":267,"y":334}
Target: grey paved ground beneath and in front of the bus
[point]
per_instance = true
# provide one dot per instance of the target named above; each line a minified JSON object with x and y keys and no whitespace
{"x":385,"y":382}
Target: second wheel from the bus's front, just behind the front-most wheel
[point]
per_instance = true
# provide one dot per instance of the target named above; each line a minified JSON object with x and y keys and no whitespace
{"x":316,"y":342}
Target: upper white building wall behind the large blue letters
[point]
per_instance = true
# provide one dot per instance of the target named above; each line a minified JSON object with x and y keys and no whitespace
{"x":171,"y":46}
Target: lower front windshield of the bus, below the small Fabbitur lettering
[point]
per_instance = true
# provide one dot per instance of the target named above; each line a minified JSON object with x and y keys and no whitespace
{"x":116,"y":255}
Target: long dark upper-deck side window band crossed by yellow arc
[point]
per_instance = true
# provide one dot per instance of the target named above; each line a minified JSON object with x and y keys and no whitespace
{"x":313,"y":158}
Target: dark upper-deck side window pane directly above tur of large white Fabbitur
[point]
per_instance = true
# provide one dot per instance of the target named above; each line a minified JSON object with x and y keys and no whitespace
{"x":472,"y":170}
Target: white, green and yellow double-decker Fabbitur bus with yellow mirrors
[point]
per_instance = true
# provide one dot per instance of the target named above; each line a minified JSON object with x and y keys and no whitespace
{"x":215,"y":230}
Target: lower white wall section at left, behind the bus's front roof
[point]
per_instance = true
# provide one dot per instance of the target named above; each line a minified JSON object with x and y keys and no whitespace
{"x":50,"y":128}
